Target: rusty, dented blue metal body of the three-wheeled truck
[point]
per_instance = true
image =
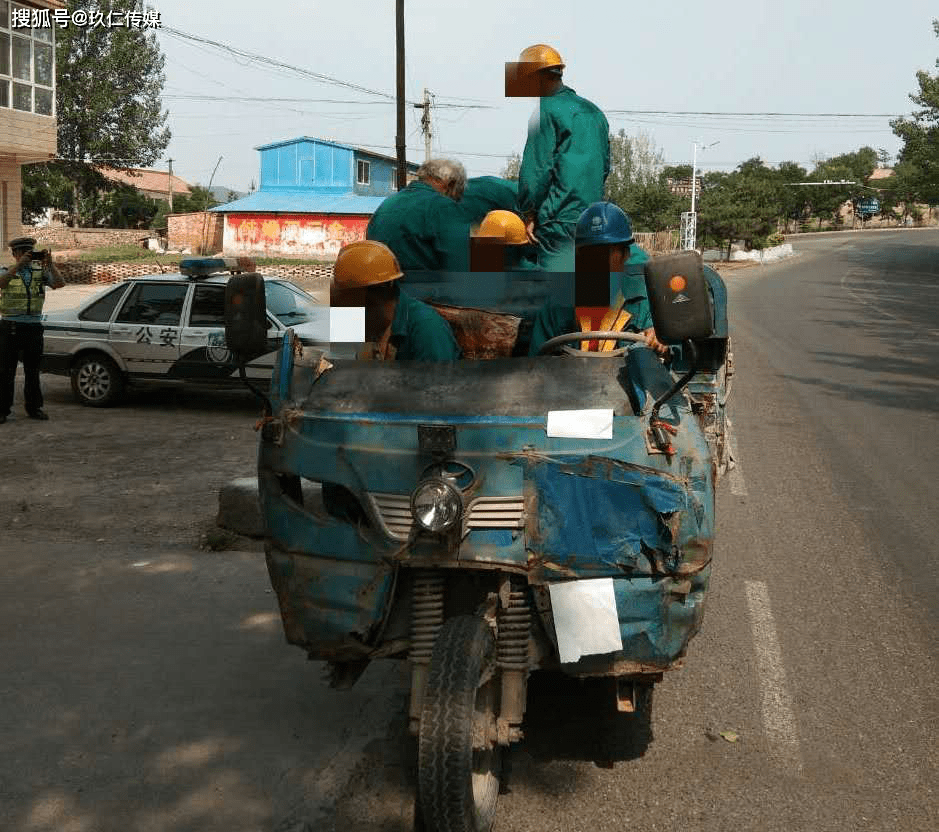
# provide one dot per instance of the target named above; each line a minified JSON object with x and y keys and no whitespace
{"x":367,"y":582}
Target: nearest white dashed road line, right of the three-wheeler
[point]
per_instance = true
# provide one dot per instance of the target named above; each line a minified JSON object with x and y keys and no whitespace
{"x":778,"y":720}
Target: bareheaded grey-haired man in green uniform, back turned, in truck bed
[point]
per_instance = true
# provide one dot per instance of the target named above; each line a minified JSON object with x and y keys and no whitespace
{"x":423,"y":224}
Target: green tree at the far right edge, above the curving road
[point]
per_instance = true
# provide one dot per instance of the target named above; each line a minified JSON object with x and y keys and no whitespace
{"x":920,"y":135}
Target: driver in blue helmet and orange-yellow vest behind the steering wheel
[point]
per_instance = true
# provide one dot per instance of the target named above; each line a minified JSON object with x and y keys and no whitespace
{"x":605,"y":231}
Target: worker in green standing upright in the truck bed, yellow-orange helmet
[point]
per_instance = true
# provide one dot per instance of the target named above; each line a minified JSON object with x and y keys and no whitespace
{"x":565,"y":163}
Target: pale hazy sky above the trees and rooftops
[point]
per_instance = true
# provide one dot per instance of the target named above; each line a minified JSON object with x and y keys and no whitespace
{"x":840,"y":56}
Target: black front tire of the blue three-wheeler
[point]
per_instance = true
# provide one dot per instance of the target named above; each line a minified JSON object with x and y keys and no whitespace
{"x":463,"y":653}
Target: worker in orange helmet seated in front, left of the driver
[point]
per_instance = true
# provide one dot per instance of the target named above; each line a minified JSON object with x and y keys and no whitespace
{"x":366,"y":274}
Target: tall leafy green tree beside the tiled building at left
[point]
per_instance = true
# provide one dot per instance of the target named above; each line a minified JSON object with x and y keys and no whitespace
{"x":108,"y":87}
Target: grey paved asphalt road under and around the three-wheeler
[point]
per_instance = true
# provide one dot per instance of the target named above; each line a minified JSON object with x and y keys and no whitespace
{"x":152,"y":690}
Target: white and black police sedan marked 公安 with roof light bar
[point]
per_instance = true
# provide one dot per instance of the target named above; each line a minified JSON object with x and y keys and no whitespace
{"x":168,"y":327}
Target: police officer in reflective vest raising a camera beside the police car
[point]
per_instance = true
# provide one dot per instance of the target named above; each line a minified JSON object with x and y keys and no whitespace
{"x":22,"y":292}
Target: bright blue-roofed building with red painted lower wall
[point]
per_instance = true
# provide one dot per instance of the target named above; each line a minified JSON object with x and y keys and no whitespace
{"x":314,"y":197}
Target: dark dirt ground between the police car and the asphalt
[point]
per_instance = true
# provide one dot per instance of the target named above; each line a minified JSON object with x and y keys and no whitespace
{"x":145,"y":474}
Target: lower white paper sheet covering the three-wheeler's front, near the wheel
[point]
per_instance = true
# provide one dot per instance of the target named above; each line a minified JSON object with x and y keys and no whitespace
{"x":585,"y":618}
